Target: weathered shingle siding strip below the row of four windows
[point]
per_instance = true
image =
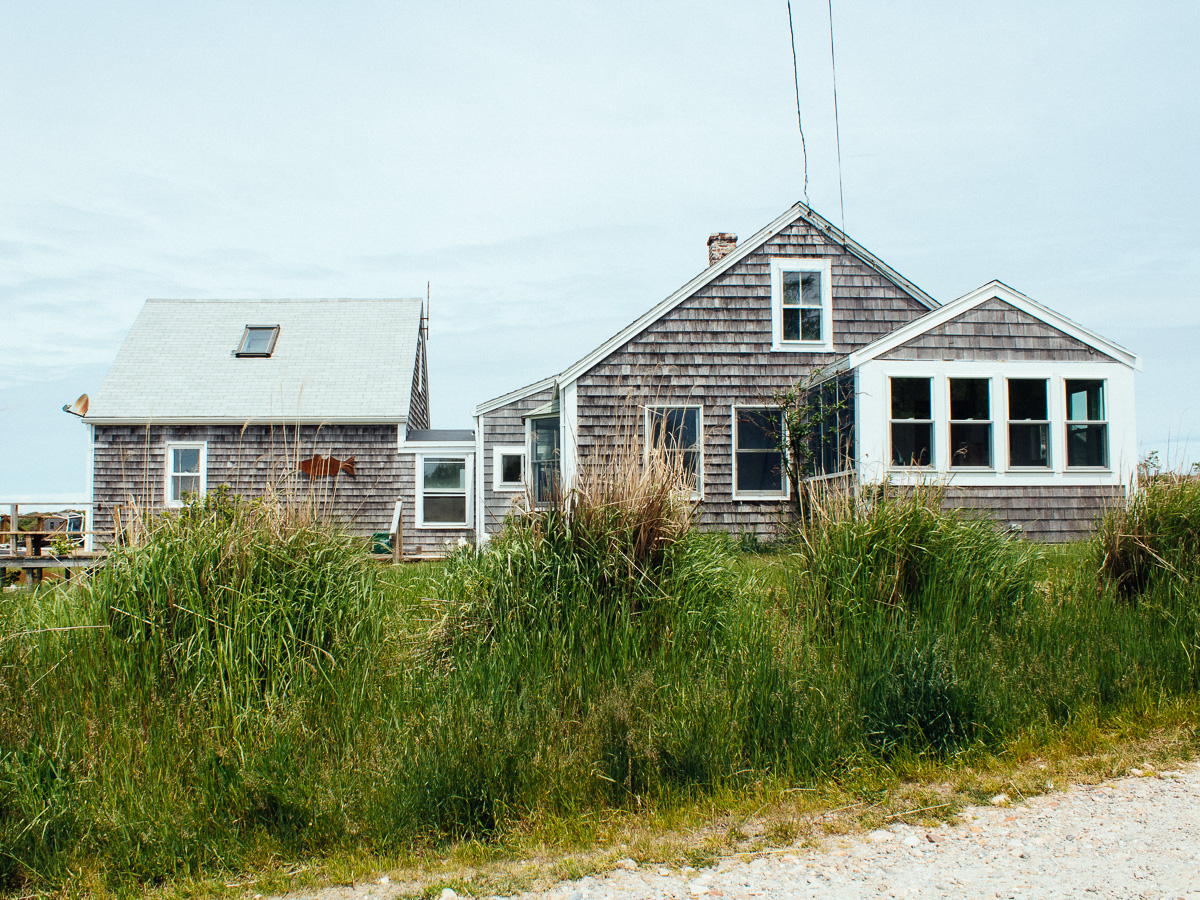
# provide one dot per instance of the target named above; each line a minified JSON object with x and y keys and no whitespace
{"x":1051,"y":513}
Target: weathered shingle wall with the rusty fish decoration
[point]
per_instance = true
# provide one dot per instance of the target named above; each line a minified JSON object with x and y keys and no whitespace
{"x":130,"y":467}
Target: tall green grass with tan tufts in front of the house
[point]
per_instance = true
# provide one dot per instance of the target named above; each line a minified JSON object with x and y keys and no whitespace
{"x":244,"y":686}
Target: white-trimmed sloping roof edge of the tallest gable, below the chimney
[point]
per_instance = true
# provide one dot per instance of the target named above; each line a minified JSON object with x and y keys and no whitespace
{"x":799,"y":212}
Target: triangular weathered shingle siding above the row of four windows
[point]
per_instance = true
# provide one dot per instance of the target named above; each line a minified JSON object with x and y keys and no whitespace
{"x":997,"y":331}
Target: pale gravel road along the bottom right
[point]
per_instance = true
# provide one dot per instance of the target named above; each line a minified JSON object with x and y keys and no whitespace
{"x":1136,"y":837}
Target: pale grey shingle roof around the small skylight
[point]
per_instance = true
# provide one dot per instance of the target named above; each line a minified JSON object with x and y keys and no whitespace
{"x":335,"y":361}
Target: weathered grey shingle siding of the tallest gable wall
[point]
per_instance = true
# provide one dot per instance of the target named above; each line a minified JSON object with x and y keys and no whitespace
{"x":715,"y":350}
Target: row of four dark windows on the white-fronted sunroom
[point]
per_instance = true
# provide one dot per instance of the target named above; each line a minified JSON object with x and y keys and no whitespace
{"x":971,"y":427}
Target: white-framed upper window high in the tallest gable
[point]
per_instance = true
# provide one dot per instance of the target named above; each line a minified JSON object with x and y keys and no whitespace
{"x":802,"y":305}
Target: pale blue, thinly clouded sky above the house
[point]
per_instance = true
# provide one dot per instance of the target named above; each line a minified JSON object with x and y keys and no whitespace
{"x":553,"y":170}
